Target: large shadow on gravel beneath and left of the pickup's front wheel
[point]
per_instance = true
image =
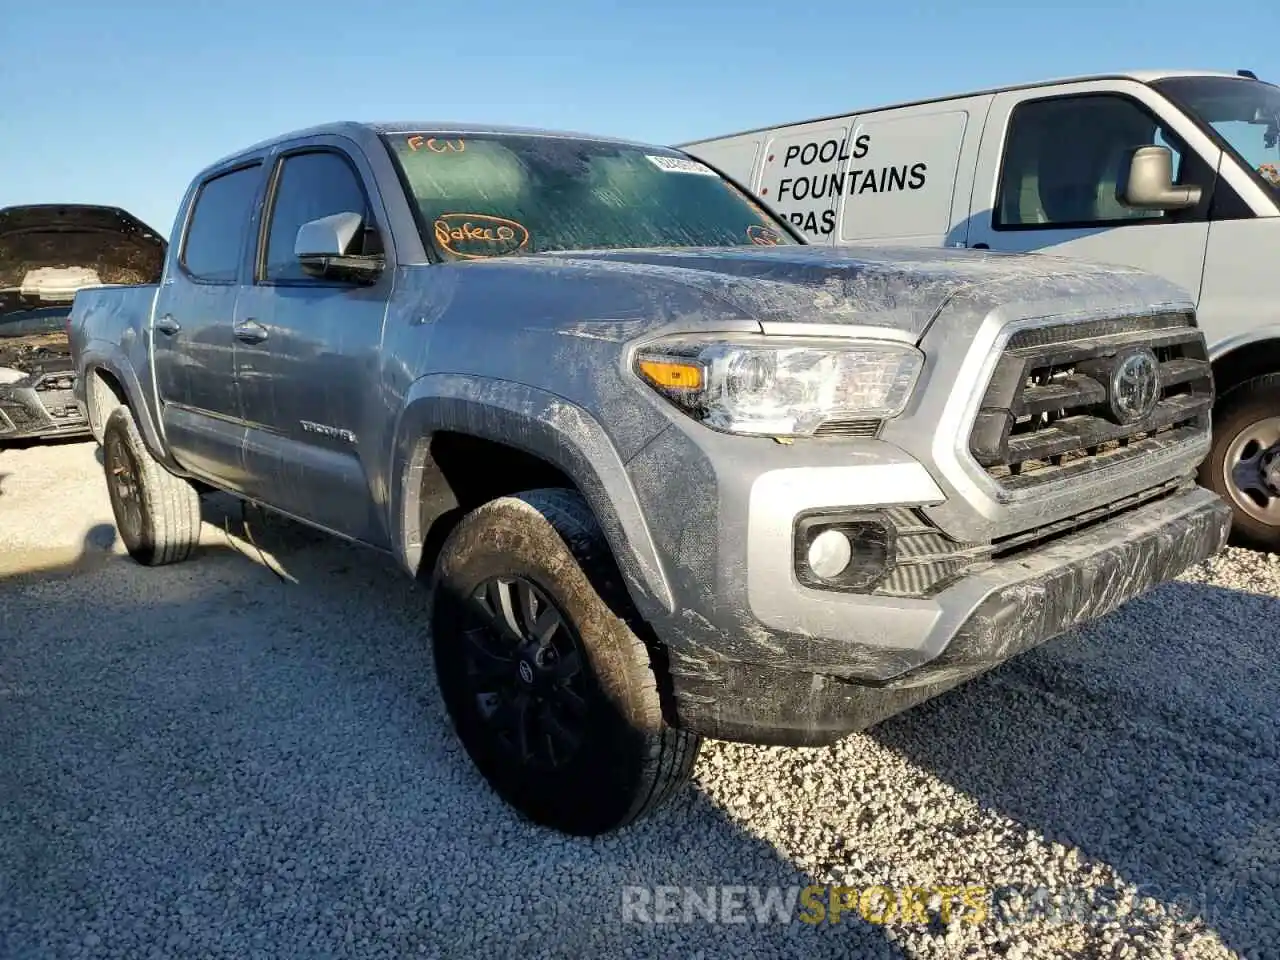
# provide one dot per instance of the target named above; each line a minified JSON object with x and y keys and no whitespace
{"x":246,"y":755}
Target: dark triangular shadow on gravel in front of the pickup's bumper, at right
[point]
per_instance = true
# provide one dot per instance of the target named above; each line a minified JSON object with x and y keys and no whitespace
{"x":1148,"y":740}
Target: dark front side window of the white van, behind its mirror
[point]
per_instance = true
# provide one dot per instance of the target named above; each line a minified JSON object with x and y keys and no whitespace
{"x":1064,"y":159}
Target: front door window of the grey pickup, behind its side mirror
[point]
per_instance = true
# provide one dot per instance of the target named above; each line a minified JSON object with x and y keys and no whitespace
{"x":312,"y":186}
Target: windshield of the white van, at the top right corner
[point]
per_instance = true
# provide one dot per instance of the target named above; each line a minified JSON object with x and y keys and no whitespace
{"x":1244,"y":112}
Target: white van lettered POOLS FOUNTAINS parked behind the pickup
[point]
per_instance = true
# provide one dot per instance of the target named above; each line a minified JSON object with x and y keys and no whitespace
{"x":1172,"y":172}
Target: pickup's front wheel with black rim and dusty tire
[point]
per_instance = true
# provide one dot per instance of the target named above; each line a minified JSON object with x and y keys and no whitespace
{"x":551,"y":692}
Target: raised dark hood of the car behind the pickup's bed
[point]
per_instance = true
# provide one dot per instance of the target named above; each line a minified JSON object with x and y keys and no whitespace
{"x":48,"y":252}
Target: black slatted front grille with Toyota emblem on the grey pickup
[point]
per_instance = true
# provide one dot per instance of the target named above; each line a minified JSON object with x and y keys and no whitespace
{"x":1053,"y":410}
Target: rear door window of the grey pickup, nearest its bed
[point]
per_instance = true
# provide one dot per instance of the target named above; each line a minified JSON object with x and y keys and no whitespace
{"x":212,"y":250}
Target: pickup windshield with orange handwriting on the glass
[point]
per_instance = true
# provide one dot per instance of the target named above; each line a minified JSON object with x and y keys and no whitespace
{"x":499,"y":195}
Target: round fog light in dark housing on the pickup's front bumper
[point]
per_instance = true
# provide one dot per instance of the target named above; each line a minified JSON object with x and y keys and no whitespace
{"x":847,"y":552}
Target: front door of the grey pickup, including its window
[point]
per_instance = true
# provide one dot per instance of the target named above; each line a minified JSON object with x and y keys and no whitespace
{"x":308,"y":353}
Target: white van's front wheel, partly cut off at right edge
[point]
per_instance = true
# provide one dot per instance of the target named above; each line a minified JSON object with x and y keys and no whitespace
{"x":1244,"y":467}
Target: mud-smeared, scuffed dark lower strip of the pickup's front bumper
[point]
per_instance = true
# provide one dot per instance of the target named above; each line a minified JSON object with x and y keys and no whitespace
{"x":1081,"y":583}
